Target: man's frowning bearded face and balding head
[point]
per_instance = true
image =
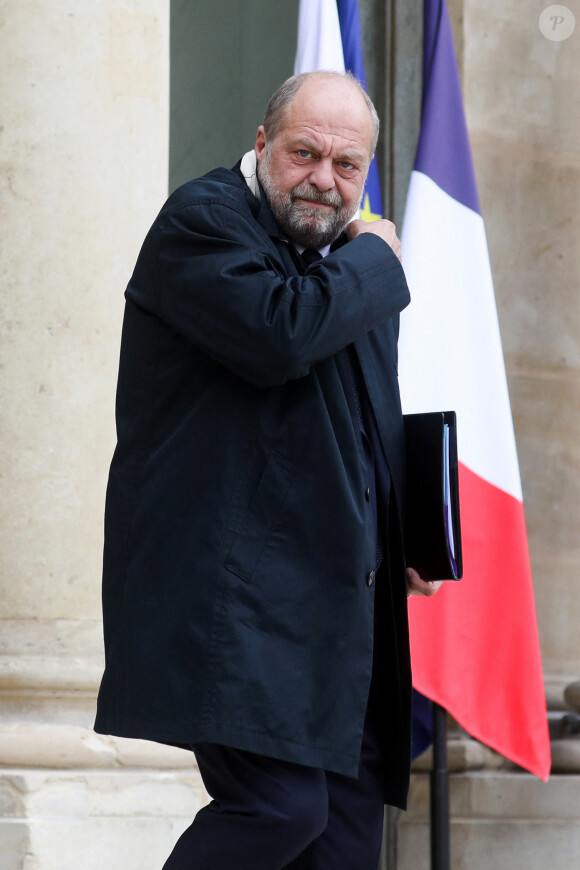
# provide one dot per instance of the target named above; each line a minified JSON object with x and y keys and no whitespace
{"x":314,"y":171}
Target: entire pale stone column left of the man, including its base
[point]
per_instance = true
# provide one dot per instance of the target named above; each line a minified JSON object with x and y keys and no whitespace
{"x":84,"y":94}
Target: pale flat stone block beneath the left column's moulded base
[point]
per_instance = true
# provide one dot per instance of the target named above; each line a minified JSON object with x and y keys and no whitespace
{"x":67,"y":820}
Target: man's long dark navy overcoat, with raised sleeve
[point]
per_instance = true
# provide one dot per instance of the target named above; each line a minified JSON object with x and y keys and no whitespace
{"x":238,"y":539}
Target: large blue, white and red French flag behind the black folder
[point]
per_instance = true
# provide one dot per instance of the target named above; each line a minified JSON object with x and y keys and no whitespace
{"x":475,"y":648}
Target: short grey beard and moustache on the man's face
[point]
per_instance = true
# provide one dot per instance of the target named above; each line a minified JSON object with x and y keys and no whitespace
{"x":306,"y":226}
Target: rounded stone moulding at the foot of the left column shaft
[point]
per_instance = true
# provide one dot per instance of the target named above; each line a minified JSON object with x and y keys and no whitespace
{"x":50,"y":672}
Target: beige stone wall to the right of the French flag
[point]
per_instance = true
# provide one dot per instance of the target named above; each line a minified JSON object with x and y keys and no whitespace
{"x":522,"y":97}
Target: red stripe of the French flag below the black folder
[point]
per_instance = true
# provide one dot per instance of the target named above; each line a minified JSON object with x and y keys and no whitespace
{"x":490,"y":686}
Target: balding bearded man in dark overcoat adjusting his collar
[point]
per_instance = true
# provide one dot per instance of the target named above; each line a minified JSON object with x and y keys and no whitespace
{"x":254,"y":586}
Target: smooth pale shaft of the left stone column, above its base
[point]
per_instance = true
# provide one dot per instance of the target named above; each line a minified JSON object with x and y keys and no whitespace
{"x":84,"y":95}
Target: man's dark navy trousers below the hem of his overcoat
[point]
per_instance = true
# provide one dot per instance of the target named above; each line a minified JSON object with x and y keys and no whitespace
{"x":274,"y":815}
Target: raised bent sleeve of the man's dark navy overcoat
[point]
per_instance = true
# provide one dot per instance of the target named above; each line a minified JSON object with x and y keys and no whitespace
{"x":212,"y":274}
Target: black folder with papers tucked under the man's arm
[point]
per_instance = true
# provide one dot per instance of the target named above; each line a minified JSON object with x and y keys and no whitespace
{"x":432,"y":520}
